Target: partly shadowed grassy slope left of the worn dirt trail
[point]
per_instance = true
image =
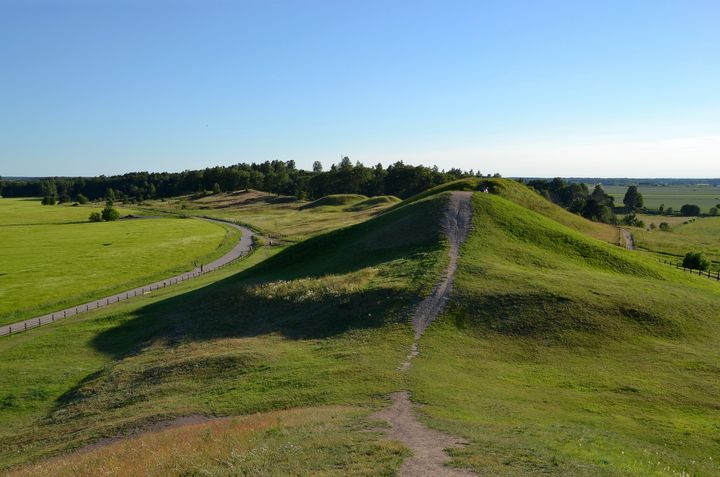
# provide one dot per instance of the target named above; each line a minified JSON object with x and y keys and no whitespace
{"x":324,"y":322}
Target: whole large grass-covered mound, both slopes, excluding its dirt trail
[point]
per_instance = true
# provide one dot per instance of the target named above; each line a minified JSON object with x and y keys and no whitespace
{"x":559,"y":353}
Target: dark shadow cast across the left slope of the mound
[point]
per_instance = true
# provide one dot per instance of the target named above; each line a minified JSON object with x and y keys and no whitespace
{"x":234,"y":307}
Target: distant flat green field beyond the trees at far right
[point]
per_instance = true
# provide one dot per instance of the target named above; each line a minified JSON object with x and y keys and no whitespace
{"x":705,"y":196}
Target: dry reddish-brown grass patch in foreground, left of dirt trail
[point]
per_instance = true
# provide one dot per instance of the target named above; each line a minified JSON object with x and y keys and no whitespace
{"x":291,"y":442}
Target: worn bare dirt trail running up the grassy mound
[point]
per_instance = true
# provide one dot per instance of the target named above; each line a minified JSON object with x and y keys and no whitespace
{"x":427,"y":445}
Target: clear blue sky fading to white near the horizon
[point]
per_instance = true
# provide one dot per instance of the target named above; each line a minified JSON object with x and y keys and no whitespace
{"x":523,"y":88}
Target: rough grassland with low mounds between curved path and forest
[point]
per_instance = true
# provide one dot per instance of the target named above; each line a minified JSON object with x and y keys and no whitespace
{"x":282,"y":218}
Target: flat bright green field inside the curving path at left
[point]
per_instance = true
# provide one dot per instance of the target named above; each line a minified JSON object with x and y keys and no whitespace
{"x":52,"y":257}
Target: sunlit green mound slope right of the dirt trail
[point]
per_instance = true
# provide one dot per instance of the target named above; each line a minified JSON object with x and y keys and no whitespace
{"x":564,"y":355}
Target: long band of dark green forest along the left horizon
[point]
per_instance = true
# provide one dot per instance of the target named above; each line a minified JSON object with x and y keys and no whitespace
{"x":278,"y":177}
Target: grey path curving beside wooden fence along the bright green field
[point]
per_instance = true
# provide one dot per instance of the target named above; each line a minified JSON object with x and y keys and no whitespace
{"x":243,"y":246}
